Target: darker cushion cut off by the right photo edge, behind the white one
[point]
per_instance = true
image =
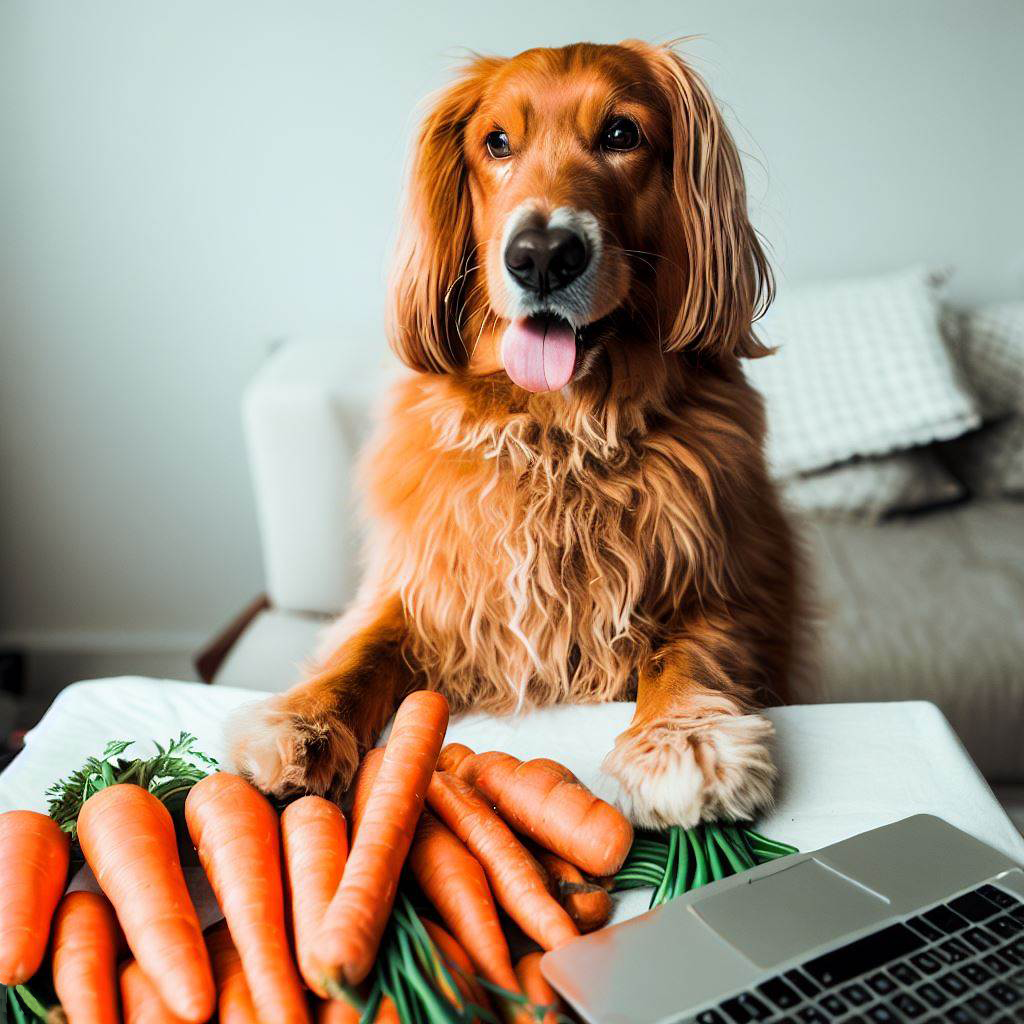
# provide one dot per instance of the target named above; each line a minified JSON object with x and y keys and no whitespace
{"x":990,"y":349}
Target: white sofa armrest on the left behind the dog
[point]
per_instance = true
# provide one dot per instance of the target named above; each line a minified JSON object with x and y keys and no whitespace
{"x":307,"y":413}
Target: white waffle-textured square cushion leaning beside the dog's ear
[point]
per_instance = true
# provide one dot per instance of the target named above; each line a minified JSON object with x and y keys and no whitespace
{"x":862,"y":370}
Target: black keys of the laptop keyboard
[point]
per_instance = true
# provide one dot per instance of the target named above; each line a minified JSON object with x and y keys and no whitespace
{"x":962,"y":962}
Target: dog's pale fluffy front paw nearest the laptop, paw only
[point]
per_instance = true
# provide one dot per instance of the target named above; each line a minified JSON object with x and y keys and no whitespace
{"x":687,"y":771}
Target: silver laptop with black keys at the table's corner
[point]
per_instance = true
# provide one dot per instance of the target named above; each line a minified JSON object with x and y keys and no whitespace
{"x":913,"y":922}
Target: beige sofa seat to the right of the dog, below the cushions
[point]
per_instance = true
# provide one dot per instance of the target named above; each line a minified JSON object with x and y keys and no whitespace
{"x":930,"y":608}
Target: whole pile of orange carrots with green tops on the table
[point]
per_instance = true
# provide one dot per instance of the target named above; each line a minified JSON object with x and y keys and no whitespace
{"x":327,"y":918}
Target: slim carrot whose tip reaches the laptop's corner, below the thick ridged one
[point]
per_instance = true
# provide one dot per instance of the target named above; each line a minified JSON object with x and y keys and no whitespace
{"x":517,"y":879}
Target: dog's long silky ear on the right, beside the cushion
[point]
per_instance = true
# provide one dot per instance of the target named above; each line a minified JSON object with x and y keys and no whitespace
{"x":728,"y":281}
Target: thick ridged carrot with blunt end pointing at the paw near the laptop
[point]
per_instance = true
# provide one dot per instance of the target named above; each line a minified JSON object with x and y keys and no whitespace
{"x":545,"y":801}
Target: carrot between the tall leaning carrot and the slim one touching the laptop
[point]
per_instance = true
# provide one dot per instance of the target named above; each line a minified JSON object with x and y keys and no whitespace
{"x":454,"y":881}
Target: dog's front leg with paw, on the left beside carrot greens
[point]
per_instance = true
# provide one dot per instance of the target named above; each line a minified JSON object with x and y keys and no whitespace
{"x":311,"y":739}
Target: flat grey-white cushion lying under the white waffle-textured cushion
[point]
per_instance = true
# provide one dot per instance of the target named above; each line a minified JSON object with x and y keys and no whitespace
{"x":868,"y":490}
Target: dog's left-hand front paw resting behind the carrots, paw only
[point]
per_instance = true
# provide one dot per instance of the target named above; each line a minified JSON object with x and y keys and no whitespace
{"x":283,"y":751}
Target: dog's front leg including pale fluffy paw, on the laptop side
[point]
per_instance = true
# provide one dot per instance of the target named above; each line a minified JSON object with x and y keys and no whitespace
{"x":696,"y":750}
